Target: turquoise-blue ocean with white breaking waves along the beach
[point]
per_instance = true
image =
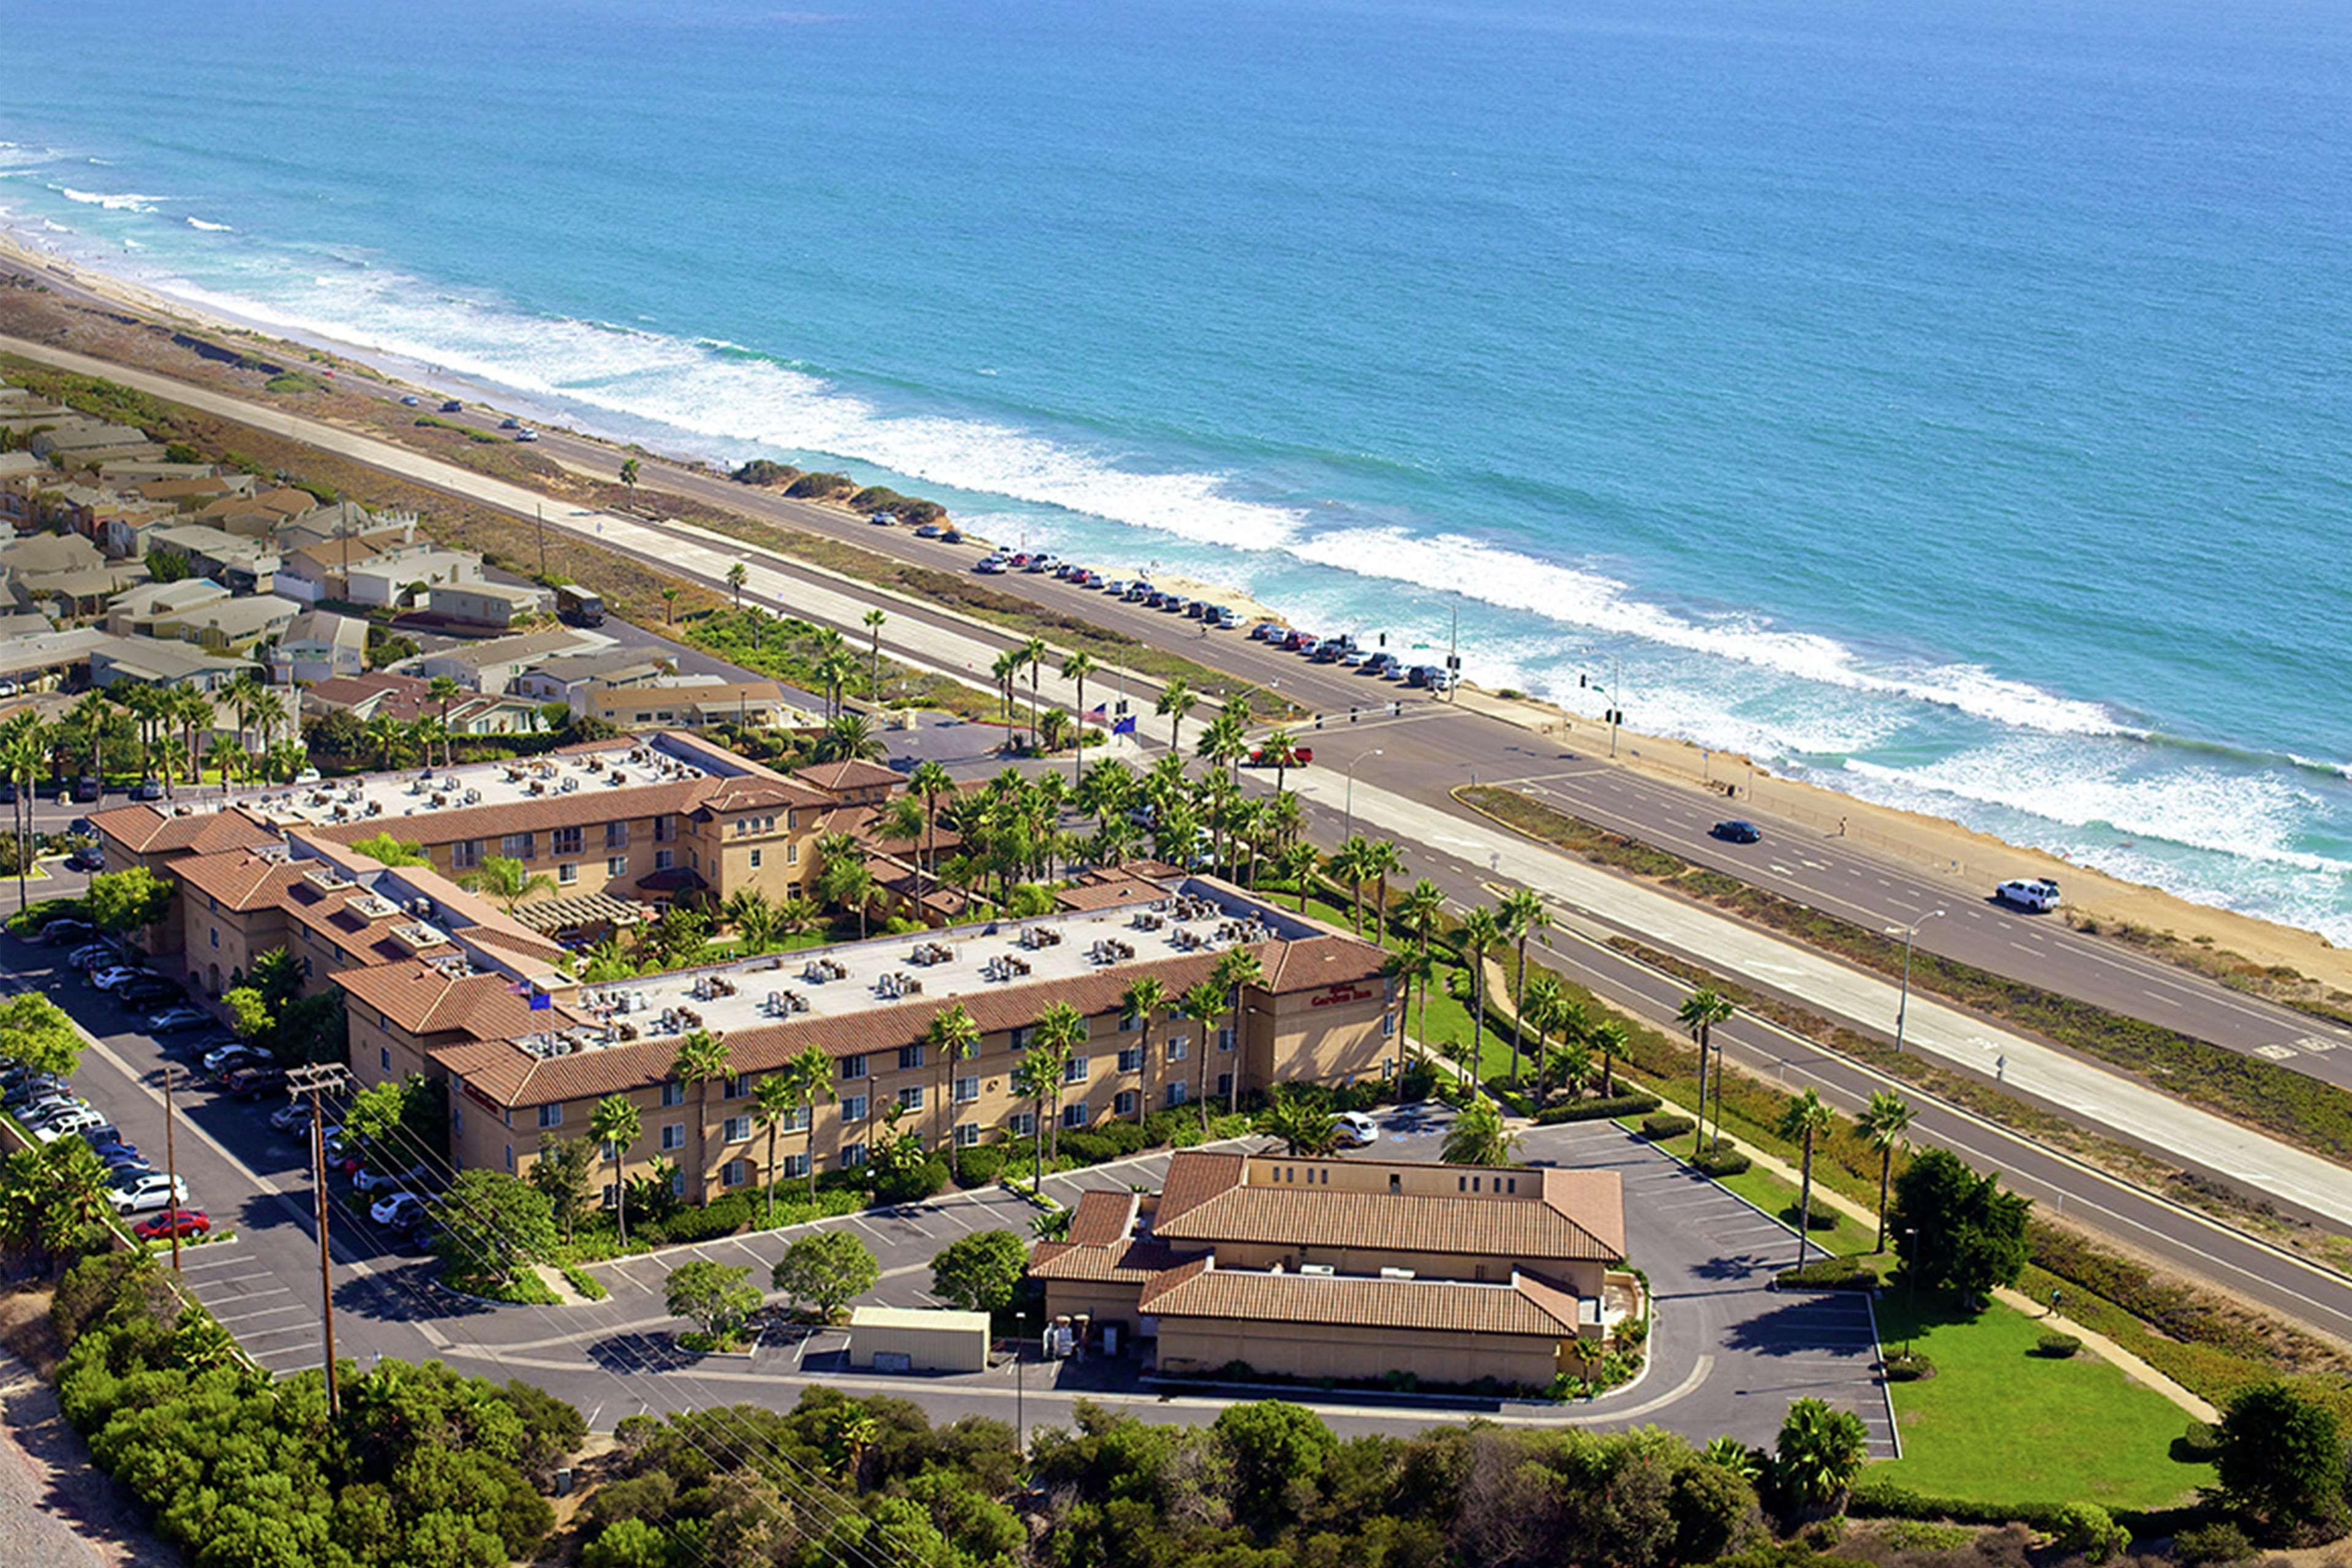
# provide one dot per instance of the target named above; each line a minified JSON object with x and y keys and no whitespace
{"x":1939,"y":403}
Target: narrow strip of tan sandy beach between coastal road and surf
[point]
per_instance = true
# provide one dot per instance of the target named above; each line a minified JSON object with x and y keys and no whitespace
{"x":1972,"y":859}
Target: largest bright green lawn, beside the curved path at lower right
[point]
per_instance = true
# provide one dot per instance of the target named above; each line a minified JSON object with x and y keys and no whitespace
{"x":2000,"y":1423}
